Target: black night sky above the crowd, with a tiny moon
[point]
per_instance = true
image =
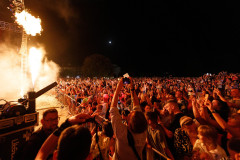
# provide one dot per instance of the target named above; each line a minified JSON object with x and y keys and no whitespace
{"x":149,"y":37}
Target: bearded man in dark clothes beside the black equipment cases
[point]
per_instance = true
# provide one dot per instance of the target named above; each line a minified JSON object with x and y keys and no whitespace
{"x":49,"y":124}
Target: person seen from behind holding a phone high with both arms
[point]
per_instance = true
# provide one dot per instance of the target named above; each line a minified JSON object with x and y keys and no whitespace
{"x":131,"y":138}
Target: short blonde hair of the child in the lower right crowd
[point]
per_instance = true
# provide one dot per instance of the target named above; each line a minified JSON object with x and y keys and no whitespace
{"x":208,"y":132}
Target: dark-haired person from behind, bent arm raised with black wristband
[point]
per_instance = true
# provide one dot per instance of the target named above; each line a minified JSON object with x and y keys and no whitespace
{"x":71,"y":140}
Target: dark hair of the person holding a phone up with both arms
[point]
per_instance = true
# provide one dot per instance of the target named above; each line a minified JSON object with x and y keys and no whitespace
{"x":137,"y":122}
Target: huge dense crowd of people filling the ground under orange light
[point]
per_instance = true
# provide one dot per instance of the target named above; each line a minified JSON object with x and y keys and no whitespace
{"x":179,"y":118}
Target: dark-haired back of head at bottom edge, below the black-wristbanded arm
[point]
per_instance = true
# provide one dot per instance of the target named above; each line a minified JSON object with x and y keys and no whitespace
{"x":74,"y":143}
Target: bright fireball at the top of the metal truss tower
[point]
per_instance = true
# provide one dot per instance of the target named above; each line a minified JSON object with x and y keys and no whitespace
{"x":31,"y":25}
